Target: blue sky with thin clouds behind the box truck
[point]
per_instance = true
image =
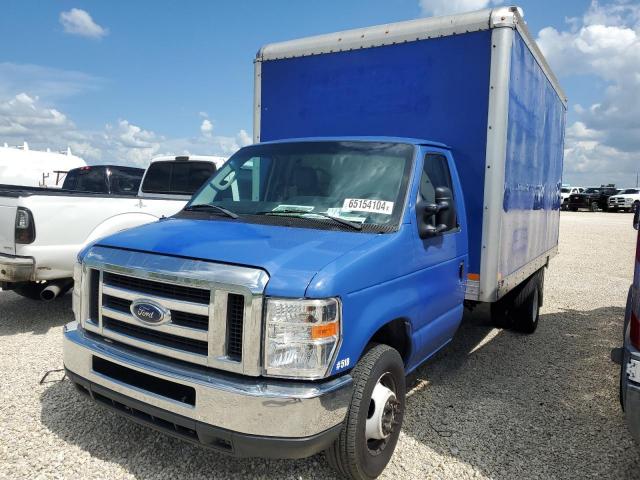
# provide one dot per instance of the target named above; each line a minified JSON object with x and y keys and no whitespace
{"x":151,"y":72}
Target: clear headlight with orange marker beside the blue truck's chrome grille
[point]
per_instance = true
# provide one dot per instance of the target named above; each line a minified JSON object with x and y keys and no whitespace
{"x":301,"y":337}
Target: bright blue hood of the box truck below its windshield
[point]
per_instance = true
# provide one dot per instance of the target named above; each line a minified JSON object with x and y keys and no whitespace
{"x":291,"y":256}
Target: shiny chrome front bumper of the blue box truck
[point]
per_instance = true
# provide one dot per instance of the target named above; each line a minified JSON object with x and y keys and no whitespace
{"x":239,"y":404}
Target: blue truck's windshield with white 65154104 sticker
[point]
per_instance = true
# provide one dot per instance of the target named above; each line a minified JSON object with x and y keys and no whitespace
{"x":361,"y":182}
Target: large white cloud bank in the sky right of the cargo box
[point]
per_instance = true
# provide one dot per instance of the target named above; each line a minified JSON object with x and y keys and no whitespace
{"x":604,"y":43}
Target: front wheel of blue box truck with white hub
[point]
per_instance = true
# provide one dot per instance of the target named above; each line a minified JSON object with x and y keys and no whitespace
{"x":372,"y":426}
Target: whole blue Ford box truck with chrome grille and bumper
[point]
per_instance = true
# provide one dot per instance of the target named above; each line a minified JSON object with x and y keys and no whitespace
{"x":399,"y":173}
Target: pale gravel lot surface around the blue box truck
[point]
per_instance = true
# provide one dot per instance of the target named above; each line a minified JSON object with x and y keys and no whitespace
{"x":494,"y":405}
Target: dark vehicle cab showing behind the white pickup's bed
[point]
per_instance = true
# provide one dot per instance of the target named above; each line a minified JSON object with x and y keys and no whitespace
{"x":107,"y":179}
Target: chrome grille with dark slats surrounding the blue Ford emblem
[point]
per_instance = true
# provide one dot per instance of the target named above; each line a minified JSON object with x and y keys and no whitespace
{"x":212,"y":322}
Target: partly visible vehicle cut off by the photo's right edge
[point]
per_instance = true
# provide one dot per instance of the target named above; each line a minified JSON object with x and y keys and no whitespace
{"x":629,"y":355}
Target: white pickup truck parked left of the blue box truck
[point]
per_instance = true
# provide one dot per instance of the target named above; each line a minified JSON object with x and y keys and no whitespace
{"x":42,"y":230}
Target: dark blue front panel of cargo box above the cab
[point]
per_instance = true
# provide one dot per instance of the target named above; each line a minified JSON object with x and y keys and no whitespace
{"x":434,"y":89}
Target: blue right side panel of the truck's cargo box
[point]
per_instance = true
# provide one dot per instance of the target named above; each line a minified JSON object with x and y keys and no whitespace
{"x":533,"y":168}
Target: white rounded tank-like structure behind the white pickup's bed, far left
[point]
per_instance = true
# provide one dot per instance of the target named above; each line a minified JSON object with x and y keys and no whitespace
{"x":34,"y":168}
